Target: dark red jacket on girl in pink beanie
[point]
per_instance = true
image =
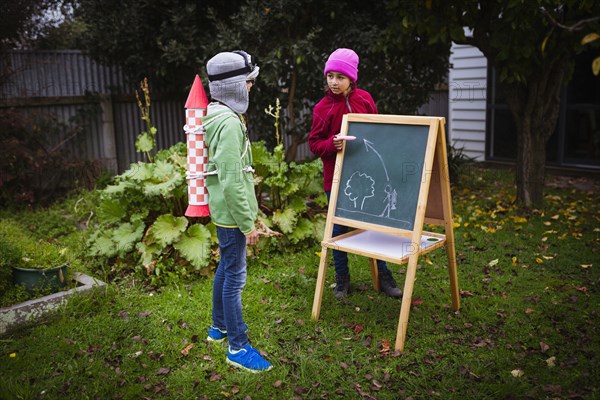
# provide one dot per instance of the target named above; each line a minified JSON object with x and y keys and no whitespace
{"x":327,"y":122}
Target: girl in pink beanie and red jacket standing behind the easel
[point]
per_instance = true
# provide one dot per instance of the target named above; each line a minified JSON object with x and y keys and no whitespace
{"x":342,"y":97}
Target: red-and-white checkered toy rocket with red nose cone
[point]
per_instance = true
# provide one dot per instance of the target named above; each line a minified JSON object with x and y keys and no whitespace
{"x":197,"y":152}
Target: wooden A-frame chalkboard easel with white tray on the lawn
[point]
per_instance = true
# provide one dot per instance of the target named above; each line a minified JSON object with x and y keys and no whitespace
{"x":388,"y":182}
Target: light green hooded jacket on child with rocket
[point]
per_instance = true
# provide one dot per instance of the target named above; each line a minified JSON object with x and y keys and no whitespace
{"x":231,"y":196}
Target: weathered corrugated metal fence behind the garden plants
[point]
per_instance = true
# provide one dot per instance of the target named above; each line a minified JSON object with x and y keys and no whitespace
{"x":69,"y":87}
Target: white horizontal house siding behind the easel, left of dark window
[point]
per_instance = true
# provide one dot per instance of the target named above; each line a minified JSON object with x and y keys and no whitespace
{"x":467,"y":91}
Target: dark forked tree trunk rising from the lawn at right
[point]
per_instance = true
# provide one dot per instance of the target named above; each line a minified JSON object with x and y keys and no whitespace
{"x":535,"y":106}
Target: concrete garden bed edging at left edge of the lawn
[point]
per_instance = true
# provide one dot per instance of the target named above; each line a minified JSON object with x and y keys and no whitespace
{"x":19,"y":314}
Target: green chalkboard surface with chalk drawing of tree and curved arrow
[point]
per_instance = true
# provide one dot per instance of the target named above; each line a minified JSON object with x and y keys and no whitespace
{"x":381,"y":173}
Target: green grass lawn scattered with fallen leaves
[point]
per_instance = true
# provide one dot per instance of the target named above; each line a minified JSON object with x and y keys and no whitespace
{"x":527,"y":329}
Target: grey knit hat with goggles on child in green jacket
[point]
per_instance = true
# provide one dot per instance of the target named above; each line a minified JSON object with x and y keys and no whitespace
{"x":227,"y":76}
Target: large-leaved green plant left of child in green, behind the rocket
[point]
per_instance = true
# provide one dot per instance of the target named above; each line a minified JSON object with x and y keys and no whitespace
{"x":140,"y":216}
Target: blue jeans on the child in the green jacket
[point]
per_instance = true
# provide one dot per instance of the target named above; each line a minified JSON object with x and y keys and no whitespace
{"x":230,"y":279}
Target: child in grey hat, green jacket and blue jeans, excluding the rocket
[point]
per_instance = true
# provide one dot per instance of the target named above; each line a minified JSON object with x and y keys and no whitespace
{"x":232,"y":202}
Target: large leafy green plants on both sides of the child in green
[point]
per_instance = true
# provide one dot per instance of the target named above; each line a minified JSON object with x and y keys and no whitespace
{"x":140,"y":218}
